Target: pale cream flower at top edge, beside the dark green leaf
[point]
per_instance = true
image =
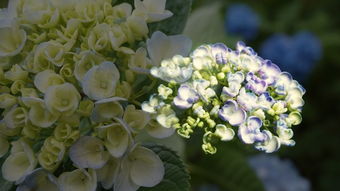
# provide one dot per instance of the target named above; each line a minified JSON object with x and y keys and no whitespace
{"x":152,"y":10}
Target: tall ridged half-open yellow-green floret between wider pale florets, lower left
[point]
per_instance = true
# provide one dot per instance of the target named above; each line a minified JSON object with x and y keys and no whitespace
{"x":51,"y":154}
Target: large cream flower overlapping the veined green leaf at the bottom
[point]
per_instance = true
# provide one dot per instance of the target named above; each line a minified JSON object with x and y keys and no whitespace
{"x":141,"y":167}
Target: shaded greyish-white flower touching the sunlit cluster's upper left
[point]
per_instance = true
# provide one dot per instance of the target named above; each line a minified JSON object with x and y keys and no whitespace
{"x":161,"y":47}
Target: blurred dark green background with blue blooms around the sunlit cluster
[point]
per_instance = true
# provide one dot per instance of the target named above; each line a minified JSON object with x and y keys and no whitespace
{"x":302,"y":37}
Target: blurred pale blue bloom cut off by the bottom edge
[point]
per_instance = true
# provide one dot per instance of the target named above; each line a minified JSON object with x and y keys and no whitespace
{"x":277,"y":174}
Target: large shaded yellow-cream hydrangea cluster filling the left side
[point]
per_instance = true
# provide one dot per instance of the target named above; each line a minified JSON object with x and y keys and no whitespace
{"x":67,"y":70}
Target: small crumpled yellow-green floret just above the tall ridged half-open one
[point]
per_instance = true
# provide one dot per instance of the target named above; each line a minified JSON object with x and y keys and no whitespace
{"x":65,"y":133}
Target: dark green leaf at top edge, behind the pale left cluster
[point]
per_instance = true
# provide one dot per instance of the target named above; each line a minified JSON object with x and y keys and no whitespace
{"x":175,"y":24}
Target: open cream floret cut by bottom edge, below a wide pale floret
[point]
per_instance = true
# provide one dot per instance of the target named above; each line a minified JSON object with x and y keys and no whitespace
{"x":79,"y":179}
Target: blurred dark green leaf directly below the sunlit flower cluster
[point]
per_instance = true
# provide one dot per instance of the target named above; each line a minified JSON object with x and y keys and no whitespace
{"x":228,"y":169}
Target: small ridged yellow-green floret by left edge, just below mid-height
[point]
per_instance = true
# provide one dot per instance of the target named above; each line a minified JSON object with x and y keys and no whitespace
{"x":16,"y":117}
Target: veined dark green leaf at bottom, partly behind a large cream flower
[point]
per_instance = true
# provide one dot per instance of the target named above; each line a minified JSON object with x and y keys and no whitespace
{"x":176,"y":177}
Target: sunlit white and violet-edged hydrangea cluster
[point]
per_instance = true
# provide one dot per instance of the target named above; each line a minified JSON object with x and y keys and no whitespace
{"x":222,"y":92}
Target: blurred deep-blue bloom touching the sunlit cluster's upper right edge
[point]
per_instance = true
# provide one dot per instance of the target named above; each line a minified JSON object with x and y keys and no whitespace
{"x":297,"y":54}
